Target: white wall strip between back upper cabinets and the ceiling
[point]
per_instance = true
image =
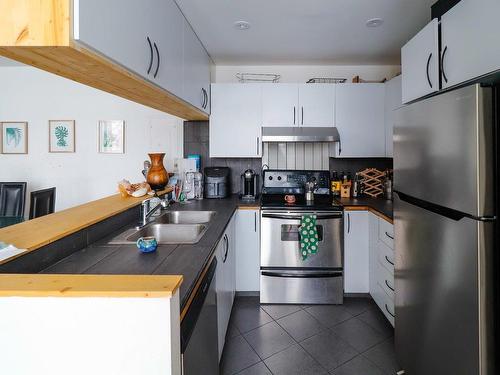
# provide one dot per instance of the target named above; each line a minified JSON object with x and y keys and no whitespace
{"x":302,"y":73}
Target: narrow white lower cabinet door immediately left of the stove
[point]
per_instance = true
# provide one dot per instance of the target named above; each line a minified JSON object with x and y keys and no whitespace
{"x":247,"y":250}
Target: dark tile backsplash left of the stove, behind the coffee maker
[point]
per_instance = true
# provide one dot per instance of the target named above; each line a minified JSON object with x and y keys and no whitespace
{"x":196,"y":142}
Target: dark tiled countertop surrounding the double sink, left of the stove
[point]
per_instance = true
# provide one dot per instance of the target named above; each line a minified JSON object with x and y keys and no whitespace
{"x":186,"y":260}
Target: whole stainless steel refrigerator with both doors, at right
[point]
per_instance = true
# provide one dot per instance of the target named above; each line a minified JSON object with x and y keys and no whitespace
{"x":445,"y":170}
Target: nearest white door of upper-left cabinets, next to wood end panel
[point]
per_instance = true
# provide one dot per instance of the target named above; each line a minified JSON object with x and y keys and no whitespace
{"x":100,"y":28}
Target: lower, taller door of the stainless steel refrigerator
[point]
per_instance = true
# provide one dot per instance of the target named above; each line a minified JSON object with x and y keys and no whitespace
{"x":442,"y":316}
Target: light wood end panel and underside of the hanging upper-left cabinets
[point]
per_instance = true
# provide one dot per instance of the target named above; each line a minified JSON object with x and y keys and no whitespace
{"x":38,"y":33}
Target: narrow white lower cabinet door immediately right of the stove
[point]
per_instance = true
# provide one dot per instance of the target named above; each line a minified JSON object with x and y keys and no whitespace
{"x":356,"y":240}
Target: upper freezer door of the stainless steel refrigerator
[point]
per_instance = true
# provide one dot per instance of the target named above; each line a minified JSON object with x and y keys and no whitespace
{"x":443,"y":150}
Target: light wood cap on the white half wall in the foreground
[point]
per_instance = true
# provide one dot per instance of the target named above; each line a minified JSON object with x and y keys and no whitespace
{"x":41,"y":285}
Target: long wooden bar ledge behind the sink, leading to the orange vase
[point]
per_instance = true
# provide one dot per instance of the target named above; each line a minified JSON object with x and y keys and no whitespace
{"x":33,"y":234}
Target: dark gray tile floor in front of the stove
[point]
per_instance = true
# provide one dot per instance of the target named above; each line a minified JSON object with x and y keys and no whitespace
{"x":349,"y":339}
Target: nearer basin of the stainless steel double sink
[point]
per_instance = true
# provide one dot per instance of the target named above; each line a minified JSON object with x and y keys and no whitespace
{"x":170,"y":233}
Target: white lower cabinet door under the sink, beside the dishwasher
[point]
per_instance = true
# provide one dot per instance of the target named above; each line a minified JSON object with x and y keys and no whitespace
{"x":225,"y":281}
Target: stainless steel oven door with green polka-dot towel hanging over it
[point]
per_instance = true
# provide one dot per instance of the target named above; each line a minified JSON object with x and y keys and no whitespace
{"x":280,"y":240}
